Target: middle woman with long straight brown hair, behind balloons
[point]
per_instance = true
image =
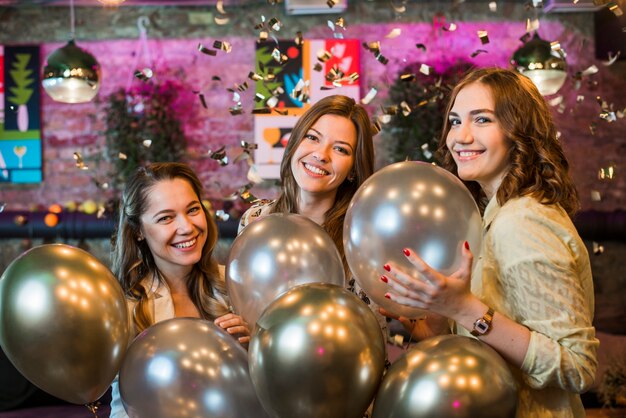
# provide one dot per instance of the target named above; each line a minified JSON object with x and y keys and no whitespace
{"x":330,"y":153}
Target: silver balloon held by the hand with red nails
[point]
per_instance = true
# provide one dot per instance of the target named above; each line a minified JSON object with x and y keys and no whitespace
{"x":408,"y":205}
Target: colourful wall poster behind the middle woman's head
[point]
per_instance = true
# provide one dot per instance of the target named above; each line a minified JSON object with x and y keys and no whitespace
{"x":294,"y":77}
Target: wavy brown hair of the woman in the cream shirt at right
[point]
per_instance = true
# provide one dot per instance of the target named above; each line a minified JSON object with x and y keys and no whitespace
{"x":538,"y":166}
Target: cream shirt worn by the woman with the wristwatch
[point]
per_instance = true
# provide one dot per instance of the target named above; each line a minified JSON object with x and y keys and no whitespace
{"x":534,"y":269}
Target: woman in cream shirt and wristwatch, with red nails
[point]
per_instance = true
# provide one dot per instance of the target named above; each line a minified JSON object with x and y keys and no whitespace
{"x":530,"y":296}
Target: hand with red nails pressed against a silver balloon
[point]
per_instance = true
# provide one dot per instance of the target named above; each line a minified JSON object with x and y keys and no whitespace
{"x":432,"y":291}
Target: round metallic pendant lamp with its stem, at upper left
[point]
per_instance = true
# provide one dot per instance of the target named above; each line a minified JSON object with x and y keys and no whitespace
{"x":71,"y":74}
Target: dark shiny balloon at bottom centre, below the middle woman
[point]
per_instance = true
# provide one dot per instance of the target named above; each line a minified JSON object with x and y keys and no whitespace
{"x":317,"y":351}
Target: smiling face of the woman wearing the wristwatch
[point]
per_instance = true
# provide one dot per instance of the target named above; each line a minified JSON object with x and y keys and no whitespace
{"x":476,"y":140}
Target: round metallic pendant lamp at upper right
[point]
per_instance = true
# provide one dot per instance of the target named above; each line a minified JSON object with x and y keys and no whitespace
{"x":545,"y":66}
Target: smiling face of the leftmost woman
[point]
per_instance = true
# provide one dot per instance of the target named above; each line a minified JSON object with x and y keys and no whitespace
{"x":174,"y":226}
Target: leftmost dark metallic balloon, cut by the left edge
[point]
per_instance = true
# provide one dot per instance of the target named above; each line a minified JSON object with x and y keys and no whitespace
{"x":63,"y":321}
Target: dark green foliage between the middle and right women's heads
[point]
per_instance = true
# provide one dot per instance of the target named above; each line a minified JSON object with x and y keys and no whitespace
{"x":416,"y":136}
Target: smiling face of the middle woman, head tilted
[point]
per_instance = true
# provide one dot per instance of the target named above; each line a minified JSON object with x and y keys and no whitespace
{"x":325,"y":157}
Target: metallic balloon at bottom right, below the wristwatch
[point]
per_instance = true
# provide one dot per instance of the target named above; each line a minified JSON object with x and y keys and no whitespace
{"x":445,"y":377}
